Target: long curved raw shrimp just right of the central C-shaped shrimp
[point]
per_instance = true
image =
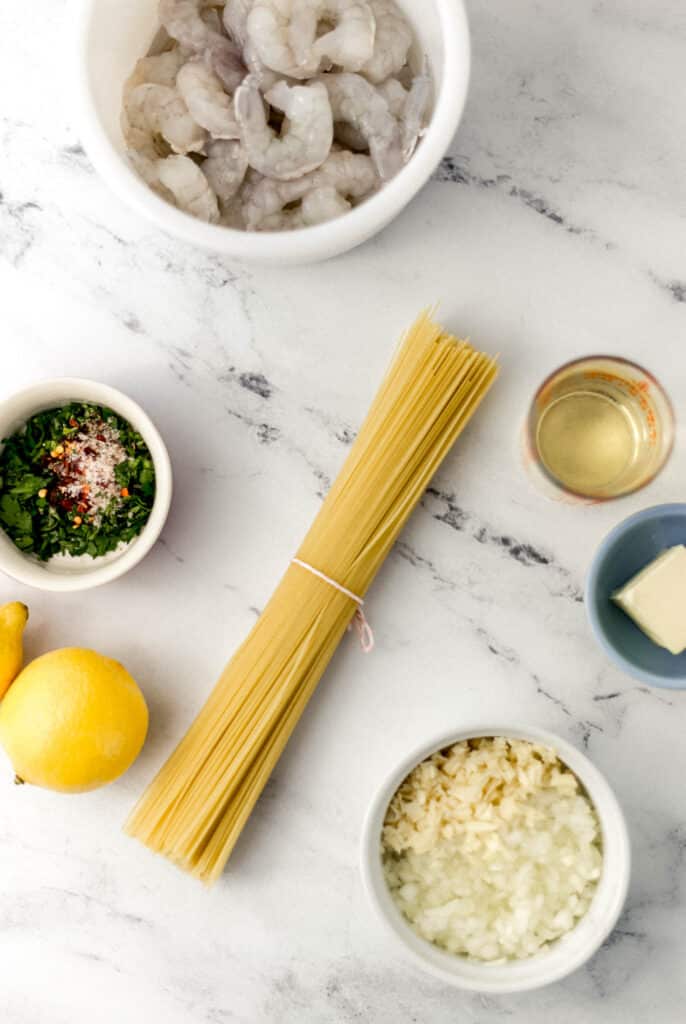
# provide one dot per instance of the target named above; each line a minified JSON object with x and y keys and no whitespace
{"x":357,"y":102}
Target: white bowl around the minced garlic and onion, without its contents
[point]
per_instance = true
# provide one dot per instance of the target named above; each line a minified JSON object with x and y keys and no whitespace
{"x":565,"y":956}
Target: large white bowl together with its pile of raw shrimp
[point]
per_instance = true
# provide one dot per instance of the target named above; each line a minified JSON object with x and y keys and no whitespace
{"x":272,"y":132}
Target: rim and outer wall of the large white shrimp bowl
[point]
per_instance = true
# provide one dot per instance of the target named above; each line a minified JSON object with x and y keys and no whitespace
{"x":320,"y":242}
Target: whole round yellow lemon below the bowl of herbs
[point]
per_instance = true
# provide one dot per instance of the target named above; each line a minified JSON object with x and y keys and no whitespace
{"x":73,"y":721}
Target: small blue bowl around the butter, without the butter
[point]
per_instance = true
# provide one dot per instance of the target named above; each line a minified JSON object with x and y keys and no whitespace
{"x":624,"y":552}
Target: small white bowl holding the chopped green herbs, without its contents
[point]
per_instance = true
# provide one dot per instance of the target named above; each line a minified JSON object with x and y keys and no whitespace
{"x":60,"y":576}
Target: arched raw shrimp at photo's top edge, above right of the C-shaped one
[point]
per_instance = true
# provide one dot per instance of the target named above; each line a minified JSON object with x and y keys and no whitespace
{"x":350,"y":45}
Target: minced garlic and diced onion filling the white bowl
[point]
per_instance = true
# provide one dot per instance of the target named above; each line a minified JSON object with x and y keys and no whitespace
{"x":492,"y":849}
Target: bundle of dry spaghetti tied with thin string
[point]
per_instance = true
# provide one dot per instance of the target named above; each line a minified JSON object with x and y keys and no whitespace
{"x":196,"y":808}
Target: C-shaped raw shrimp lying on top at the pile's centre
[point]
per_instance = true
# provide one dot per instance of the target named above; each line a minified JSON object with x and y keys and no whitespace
{"x":309,"y":129}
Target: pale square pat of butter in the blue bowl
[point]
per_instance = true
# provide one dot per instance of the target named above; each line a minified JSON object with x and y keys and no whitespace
{"x":656,"y":600}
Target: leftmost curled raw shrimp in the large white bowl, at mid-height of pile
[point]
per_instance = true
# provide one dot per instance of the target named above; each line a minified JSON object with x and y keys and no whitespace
{"x":158,"y":110}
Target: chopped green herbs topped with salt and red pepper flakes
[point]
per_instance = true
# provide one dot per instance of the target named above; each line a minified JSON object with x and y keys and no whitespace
{"x":75,"y":481}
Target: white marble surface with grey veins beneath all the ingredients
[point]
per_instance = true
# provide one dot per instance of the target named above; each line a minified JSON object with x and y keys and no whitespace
{"x":556,"y":227}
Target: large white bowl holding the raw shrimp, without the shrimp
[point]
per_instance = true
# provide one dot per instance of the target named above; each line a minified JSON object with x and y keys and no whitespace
{"x":111,"y":35}
